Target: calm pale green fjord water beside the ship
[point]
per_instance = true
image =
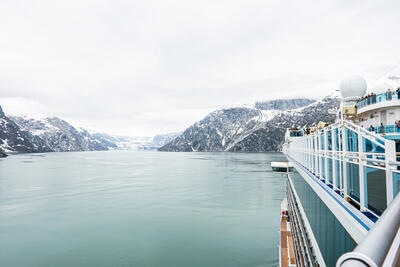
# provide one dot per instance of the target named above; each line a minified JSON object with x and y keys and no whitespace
{"x":139,"y":209}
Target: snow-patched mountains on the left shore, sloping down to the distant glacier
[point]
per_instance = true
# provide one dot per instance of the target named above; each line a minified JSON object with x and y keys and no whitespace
{"x":22,"y":134}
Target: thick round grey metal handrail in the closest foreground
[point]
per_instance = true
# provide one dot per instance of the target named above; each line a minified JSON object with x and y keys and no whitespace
{"x":381,"y":246}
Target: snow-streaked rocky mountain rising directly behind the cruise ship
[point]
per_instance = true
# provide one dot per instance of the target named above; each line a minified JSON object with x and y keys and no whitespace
{"x":253,"y":129}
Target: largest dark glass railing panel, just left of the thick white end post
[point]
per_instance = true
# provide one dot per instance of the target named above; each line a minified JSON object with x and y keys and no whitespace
{"x":375,"y":189}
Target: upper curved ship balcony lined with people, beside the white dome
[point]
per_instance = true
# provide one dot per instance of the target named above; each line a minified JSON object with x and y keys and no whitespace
{"x":384,"y":100}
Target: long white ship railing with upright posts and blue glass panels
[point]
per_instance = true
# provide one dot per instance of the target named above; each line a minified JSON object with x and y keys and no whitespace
{"x":359,"y":164}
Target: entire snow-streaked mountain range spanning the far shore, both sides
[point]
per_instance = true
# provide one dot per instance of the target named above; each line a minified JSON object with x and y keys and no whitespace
{"x":258,"y":127}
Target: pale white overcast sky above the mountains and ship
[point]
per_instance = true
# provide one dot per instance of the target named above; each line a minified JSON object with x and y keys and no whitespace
{"x":147,"y":67}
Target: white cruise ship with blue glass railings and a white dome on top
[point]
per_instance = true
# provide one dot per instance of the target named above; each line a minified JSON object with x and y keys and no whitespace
{"x":342,"y":206}
